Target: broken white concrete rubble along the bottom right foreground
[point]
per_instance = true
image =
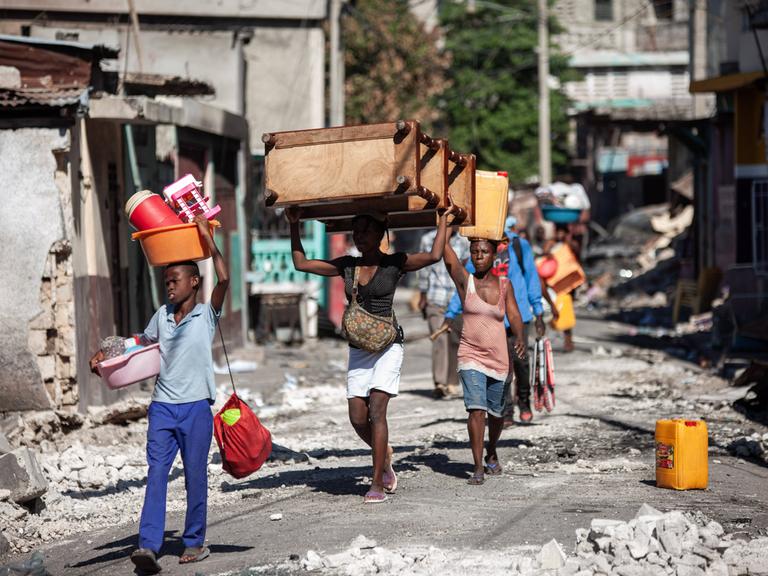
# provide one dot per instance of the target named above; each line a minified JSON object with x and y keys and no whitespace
{"x":652,"y":543}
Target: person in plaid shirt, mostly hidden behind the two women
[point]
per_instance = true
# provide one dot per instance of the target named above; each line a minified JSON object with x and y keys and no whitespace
{"x":436,"y":289}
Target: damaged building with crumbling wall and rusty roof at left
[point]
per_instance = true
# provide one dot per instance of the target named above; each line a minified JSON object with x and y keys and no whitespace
{"x":75,"y":145}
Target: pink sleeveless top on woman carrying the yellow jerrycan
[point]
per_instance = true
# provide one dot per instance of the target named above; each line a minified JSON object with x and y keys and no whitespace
{"x":483,"y":345}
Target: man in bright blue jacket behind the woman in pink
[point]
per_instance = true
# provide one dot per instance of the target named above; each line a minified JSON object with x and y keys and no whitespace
{"x":516,"y":261}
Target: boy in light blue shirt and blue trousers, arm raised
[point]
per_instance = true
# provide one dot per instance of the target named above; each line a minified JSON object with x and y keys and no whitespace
{"x":179,"y":416}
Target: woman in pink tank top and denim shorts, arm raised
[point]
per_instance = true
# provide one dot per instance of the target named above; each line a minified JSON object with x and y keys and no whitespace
{"x":483,"y":356}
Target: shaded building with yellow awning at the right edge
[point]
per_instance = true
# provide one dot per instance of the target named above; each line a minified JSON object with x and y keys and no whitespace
{"x":729,"y":47}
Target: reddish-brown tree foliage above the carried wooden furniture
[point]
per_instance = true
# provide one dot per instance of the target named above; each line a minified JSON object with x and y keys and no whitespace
{"x":394,"y":68}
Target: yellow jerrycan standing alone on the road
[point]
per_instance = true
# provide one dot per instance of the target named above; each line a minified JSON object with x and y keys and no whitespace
{"x":681,"y":454}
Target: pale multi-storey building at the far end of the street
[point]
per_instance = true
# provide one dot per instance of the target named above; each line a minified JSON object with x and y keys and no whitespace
{"x":632,"y":60}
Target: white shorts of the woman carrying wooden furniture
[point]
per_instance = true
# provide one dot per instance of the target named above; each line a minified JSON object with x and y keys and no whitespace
{"x":374,"y":371}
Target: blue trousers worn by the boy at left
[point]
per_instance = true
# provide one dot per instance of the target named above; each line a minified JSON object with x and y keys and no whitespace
{"x":173,"y":427}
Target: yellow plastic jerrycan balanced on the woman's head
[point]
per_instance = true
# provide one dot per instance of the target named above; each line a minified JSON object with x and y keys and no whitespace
{"x":491,"y":205}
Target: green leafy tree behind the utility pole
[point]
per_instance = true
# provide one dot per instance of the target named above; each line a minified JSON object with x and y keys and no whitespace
{"x":490,"y":106}
